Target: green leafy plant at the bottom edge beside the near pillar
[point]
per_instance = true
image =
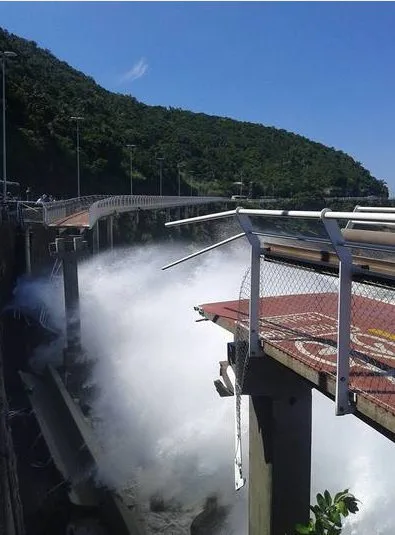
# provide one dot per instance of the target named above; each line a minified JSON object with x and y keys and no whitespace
{"x":328,"y":514}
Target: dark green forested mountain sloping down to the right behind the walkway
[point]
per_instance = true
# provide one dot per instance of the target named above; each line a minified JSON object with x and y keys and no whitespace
{"x":214,"y":152}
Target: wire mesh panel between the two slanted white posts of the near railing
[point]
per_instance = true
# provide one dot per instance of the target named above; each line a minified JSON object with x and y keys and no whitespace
{"x":298,"y":314}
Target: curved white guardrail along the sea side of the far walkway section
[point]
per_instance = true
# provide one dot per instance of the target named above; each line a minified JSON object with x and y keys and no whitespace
{"x":130,"y":203}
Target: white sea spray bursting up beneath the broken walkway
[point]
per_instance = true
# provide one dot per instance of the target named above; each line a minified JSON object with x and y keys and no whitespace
{"x":157,"y":413}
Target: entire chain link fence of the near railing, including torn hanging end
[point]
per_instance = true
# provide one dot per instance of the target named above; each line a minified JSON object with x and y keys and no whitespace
{"x":298,"y":316}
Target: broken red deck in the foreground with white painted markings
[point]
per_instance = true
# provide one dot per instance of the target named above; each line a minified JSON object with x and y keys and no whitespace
{"x":293,"y":333}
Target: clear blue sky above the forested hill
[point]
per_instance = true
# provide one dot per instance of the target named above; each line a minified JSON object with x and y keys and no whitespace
{"x":323,"y":70}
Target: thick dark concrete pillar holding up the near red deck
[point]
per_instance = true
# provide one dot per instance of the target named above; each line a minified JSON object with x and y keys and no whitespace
{"x":279,"y":450}
